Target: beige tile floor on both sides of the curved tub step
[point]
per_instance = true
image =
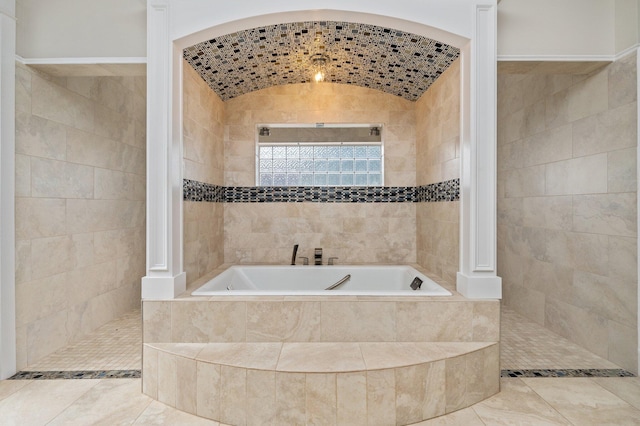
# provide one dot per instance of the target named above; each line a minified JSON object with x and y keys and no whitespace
{"x":521,"y":401}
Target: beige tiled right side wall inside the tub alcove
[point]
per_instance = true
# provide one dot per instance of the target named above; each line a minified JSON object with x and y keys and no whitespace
{"x":438,"y":157}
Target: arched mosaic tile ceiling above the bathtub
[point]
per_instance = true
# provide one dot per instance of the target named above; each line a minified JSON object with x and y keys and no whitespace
{"x":385,"y":59}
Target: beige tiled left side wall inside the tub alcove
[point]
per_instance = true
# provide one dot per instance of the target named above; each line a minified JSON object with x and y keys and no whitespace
{"x":203,"y":157}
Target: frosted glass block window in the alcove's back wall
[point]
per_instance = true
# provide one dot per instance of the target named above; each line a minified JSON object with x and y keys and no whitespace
{"x":320,"y":164}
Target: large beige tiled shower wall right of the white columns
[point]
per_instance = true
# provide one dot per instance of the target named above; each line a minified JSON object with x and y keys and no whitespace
{"x":567,"y":205}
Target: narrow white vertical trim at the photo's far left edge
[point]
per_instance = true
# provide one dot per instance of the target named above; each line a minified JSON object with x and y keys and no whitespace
{"x":7,"y":194}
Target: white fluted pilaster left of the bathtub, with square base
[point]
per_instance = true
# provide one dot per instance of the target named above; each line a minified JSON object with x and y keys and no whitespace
{"x":165,"y":278}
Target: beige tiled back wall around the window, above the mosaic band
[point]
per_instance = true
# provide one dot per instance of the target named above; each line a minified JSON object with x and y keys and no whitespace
{"x":319,"y":103}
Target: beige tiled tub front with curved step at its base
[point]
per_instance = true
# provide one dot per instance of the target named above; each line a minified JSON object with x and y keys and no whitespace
{"x":177,"y":334}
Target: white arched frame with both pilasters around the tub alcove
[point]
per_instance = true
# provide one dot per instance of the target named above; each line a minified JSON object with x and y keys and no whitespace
{"x":476,"y":274}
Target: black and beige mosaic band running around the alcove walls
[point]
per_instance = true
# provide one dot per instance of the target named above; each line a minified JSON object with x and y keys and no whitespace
{"x":437,"y":192}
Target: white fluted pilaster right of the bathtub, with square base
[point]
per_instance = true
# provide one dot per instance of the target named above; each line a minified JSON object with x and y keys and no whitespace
{"x":478,"y":265}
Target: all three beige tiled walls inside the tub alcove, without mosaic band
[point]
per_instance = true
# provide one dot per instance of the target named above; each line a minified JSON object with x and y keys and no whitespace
{"x":235,"y":232}
